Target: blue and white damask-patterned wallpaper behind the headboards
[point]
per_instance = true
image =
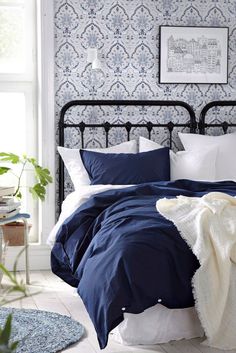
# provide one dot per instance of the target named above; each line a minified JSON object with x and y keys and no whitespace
{"x":126,"y":34}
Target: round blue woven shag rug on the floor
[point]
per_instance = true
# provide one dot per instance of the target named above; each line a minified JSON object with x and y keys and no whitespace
{"x":41,"y":331}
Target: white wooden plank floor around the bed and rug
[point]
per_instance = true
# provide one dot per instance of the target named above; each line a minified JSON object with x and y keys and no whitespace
{"x":57,"y":296}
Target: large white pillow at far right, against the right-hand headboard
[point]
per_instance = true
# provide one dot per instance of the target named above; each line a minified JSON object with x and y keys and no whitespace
{"x":226,"y":157}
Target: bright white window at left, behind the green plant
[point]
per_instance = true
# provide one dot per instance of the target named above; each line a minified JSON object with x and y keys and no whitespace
{"x":18,"y":89}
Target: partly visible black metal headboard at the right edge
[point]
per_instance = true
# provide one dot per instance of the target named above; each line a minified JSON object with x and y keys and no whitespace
{"x":202,"y":125}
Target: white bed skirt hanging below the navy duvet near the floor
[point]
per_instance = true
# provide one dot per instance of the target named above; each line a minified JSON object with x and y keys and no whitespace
{"x":156,"y":325}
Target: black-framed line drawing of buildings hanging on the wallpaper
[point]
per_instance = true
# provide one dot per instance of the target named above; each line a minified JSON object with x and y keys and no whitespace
{"x":193,"y":54}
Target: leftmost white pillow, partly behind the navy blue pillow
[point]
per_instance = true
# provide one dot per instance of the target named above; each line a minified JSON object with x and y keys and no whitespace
{"x":73,"y":162}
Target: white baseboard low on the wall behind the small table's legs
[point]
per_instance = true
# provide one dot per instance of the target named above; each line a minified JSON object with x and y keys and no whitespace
{"x":39,"y":257}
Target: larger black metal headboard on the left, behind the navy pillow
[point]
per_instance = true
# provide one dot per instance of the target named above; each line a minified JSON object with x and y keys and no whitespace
{"x":191,"y":124}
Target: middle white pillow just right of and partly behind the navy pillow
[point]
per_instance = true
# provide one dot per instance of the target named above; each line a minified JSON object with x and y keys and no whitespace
{"x":195,"y":165}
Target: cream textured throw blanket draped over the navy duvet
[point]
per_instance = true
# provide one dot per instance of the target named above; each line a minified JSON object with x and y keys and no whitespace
{"x":208,"y":225}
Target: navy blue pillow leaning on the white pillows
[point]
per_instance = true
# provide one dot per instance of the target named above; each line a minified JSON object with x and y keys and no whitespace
{"x":121,"y":168}
